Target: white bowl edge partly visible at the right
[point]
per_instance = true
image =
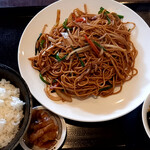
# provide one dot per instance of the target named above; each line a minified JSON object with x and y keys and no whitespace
{"x":145,"y":107}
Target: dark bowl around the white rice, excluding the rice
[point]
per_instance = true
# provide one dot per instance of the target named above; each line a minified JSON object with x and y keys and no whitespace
{"x":15,"y":79}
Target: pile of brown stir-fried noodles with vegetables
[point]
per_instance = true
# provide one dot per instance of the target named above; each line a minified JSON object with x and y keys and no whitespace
{"x":87,"y":55}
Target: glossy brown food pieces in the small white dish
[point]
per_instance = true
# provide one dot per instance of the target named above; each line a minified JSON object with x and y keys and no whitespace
{"x":42,"y":130}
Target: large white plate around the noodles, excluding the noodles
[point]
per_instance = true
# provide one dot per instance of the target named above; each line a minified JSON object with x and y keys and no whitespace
{"x":90,"y":110}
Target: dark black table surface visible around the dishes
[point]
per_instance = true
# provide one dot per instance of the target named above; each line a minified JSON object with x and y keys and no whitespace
{"x":126,"y":132}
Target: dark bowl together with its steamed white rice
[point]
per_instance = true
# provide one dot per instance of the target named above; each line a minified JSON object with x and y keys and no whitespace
{"x":15,"y":107}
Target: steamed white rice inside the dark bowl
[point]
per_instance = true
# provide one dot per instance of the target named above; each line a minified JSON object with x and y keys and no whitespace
{"x":11,"y":111}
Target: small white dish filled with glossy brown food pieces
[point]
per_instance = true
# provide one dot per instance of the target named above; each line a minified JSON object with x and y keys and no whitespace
{"x":46,"y":130}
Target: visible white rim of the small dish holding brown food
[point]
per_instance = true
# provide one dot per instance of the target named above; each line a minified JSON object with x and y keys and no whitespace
{"x":61,"y":132}
